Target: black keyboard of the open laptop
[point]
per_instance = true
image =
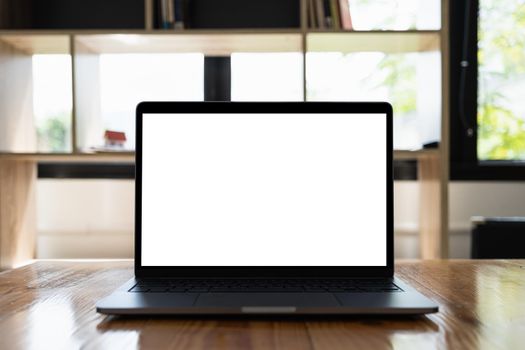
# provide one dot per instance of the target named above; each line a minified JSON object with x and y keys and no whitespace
{"x":265,"y":286}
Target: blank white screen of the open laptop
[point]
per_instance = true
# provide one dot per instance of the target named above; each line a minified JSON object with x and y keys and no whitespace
{"x":264,"y":190}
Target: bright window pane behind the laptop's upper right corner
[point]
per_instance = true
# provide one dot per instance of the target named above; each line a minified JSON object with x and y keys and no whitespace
{"x":411,"y":82}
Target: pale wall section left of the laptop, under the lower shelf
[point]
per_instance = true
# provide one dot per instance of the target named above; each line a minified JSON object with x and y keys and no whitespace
{"x":85,"y":218}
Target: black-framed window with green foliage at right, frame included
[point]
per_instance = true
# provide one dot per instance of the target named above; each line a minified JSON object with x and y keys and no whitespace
{"x":487,"y":77}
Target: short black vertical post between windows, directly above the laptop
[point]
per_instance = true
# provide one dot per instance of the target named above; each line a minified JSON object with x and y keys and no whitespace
{"x":217,"y":79}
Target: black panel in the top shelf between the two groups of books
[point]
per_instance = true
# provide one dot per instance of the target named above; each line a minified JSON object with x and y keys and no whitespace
{"x":238,"y":14}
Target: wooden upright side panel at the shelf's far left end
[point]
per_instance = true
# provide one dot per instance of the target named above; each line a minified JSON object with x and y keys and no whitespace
{"x":17,"y":178}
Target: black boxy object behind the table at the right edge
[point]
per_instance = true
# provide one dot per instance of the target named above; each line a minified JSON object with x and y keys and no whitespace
{"x":498,"y":238}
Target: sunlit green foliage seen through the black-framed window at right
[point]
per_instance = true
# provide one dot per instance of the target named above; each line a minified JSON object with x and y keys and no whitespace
{"x":501,"y":80}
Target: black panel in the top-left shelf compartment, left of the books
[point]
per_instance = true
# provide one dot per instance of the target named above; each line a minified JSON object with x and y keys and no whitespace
{"x":72,"y":14}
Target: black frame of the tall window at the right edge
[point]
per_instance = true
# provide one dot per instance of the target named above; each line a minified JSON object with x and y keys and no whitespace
{"x":463,"y":74}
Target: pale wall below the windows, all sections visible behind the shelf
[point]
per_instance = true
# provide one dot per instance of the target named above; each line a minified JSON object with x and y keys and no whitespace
{"x":94,"y":218}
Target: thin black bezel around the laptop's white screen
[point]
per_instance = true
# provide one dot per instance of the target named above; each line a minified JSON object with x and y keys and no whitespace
{"x":264,"y":271}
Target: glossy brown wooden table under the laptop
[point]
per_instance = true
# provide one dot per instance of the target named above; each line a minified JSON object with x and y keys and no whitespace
{"x":50,"y":305}
